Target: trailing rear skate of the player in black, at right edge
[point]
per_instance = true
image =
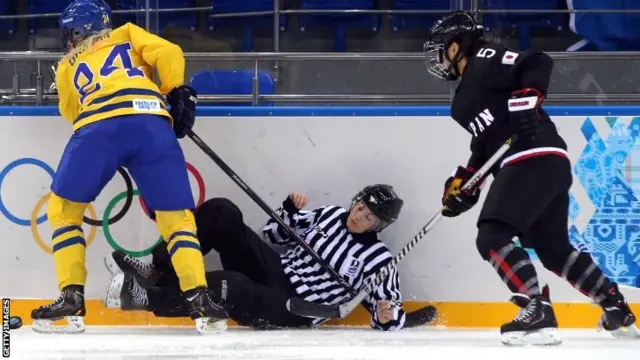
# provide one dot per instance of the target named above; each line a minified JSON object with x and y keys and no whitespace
{"x":617,"y":318}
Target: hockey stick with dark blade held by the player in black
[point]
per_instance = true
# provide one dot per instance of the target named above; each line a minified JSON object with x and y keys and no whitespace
{"x":305,"y":308}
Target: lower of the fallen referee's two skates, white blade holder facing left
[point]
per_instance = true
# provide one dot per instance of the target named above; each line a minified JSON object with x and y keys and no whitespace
{"x":125,"y":293}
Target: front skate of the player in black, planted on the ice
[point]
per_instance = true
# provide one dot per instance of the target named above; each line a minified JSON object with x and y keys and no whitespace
{"x":536,"y":317}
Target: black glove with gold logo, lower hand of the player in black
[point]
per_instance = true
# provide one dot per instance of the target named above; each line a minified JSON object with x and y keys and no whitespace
{"x":455,"y":201}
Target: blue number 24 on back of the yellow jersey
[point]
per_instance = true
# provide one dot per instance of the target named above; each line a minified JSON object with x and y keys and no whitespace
{"x":84,"y":79}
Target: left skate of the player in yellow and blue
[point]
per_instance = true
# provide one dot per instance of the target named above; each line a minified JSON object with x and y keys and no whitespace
{"x":69,"y":306}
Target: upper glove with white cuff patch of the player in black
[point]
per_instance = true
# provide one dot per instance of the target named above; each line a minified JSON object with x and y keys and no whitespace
{"x":523,"y":111}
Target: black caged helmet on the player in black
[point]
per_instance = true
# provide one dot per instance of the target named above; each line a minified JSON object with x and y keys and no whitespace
{"x":461,"y":27}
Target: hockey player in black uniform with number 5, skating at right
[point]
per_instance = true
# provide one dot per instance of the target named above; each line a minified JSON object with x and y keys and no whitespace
{"x":500,"y":94}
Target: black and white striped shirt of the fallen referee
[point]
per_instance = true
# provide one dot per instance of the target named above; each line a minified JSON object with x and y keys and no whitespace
{"x":354,"y":256}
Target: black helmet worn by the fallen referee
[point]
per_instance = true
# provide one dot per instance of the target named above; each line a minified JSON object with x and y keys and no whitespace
{"x":383,"y":202}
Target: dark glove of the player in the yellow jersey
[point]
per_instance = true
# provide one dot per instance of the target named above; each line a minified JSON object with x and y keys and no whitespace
{"x":183,"y":100}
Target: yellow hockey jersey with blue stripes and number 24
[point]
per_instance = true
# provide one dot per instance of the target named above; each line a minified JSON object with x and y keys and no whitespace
{"x":114,"y":77}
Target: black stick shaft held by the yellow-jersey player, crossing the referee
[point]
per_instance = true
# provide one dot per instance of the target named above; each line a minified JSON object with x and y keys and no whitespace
{"x":263,"y":205}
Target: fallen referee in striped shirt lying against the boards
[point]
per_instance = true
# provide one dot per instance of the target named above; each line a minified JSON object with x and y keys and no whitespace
{"x":256,"y":281}
